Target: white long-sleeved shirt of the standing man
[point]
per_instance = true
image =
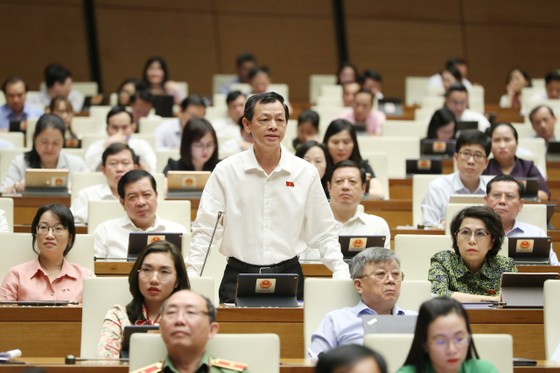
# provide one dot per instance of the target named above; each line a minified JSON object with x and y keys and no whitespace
{"x":267,"y":218}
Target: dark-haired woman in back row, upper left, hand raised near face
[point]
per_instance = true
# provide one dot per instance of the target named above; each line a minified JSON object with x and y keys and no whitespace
{"x":155,"y":77}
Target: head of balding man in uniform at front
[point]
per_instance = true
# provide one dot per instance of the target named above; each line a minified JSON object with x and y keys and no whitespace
{"x":185,"y":325}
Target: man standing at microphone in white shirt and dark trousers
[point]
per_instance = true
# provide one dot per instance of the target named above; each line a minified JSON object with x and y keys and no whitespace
{"x":273,"y":205}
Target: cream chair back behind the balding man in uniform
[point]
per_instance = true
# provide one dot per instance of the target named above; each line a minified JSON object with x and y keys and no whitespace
{"x":261,"y":352}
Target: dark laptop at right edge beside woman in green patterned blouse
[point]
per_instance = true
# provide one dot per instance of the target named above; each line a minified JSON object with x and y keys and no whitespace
{"x":524,"y":289}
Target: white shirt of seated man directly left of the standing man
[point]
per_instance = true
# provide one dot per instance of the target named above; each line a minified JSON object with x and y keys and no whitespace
{"x":111,"y":237}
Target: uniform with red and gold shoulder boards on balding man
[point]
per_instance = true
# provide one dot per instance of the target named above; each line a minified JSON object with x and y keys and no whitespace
{"x":207,"y":364}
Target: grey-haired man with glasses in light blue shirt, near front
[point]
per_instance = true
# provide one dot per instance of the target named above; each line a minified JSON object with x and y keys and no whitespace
{"x":377,"y":278}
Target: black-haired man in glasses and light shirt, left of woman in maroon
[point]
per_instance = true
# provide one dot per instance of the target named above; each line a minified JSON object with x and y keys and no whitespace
{"x":471,"y":158}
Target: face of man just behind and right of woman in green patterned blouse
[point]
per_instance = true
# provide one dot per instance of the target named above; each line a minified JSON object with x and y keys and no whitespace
{"x":505,"y":200}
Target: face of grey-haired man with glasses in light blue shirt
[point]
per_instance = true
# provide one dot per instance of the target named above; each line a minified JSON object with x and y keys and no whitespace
{"x":380,"y":294}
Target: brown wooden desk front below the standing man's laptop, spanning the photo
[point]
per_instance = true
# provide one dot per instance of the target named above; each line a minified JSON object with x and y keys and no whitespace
{"x":56,"y":331}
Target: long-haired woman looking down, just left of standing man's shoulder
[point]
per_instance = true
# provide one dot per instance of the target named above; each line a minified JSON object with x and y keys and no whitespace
{"x":199,"y":148}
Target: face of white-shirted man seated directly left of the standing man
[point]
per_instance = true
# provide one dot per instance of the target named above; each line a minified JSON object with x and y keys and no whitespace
{"x":140,"y":203}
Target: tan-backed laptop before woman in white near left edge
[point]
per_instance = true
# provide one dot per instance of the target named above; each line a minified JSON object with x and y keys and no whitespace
{"x":46,"y":181}
